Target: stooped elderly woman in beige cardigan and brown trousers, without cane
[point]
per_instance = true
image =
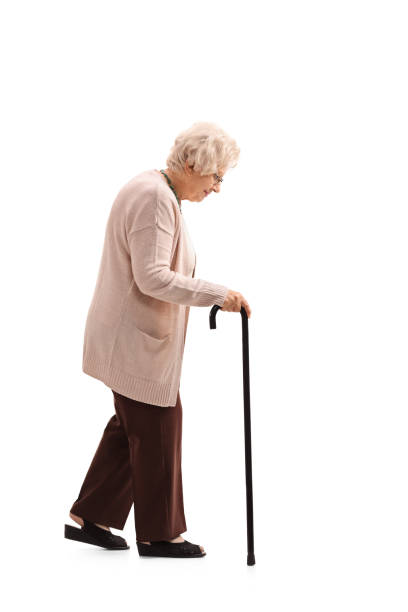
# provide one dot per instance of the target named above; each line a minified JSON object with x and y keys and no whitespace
{"x":134,"y":343}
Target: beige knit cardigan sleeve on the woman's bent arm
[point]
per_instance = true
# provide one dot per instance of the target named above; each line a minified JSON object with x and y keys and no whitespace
{"x":150,"y":251}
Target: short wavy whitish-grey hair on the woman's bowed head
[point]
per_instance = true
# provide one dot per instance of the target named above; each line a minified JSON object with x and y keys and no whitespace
{"x":206,"y":147}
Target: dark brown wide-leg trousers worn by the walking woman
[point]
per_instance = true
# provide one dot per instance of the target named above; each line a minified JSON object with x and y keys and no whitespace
{"x":138,"y":461}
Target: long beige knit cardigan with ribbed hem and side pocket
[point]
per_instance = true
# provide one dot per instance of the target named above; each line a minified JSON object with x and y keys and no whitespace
{"x":137,"y":321}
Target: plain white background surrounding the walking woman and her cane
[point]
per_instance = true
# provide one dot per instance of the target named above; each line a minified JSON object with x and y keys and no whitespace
{"x":311,"y":227}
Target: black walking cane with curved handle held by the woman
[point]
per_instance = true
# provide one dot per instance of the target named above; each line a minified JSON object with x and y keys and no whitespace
{"x":247,"y":427}
